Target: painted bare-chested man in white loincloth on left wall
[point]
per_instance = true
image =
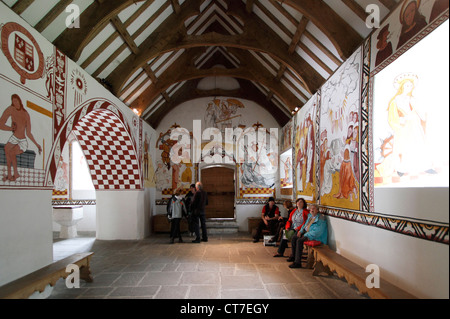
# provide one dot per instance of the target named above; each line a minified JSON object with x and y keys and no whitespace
{"x":21,"y":129}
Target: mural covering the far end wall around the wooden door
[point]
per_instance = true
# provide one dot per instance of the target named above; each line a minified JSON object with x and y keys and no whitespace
{"x":253,"y":180}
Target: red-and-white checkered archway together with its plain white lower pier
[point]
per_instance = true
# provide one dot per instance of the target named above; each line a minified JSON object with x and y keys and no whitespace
{"x":109,"y":149}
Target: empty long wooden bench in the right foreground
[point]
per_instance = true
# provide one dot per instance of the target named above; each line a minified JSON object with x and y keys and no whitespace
{"x":328,"y":261}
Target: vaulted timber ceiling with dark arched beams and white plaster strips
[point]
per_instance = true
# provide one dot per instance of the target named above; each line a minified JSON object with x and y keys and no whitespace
{"x":156,"y":54}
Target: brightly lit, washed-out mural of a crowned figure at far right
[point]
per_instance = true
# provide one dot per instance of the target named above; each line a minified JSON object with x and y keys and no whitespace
{"x":410,"y":125}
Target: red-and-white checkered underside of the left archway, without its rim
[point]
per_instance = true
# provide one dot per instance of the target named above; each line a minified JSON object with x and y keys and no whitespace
{"x":109,"y":151}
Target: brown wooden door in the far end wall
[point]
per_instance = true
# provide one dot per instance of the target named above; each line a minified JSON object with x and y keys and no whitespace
{"x":218,"y":182}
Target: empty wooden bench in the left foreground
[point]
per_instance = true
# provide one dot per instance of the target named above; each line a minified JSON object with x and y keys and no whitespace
{"x":24,"y":287}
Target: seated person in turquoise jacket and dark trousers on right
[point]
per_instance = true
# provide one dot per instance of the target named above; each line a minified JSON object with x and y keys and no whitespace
{"x":315,"y":228}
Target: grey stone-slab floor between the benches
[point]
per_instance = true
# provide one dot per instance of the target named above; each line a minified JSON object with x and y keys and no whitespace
{"x":226,"y":267}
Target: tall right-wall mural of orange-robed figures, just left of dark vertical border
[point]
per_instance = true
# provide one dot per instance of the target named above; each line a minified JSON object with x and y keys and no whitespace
{"x":339,"y":136}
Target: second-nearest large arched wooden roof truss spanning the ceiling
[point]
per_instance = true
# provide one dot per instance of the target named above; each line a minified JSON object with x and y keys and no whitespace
{"x":169,"y":37}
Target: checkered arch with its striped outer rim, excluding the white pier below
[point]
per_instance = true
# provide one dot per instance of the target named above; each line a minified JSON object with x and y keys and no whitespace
{"x":105,"y":139}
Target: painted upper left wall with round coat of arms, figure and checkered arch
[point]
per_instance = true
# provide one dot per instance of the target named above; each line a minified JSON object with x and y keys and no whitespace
{"x":46,"y":96}
